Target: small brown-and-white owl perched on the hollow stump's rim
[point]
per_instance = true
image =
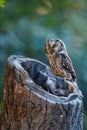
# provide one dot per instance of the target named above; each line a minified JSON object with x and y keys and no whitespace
{"x":60,"y":62}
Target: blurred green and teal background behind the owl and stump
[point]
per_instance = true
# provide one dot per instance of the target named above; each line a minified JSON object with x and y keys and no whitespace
{"x":26,"y":24}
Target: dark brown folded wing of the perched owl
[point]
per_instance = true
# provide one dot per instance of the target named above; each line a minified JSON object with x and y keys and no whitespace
{"x":67,"y":64}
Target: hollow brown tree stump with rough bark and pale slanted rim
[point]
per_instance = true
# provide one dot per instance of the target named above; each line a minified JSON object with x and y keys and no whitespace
{"x":29,"y":104}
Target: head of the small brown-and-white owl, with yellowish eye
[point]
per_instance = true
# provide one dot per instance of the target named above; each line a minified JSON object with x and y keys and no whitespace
{"x":54,"y":46}
